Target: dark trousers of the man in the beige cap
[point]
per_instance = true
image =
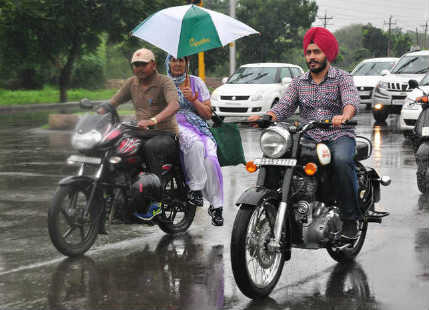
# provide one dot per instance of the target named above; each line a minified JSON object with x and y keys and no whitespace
{"x":158,"y":151}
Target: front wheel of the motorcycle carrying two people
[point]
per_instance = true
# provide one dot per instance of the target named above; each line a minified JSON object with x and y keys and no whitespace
{"x":72,"y":230}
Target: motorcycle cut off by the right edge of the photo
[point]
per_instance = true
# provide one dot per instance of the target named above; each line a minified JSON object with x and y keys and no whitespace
{"x":420,"y":138}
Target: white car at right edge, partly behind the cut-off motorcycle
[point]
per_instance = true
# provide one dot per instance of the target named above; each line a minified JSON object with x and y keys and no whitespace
{"x":410,"y":110}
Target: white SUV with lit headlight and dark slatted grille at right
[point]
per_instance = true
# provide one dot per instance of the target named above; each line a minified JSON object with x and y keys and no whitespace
{"x":392,"y":89}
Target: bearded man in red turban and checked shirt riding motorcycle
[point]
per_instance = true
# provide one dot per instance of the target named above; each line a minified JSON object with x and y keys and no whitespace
{"x":325,"y":92}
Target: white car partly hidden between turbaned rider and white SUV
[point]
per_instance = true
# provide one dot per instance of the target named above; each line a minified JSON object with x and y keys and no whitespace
{"x":367,"y":74}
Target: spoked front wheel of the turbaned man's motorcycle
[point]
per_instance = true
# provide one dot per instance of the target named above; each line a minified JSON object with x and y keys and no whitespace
{"x":256,"y":269}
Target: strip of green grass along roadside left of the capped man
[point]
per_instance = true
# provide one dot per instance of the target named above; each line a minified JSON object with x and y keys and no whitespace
{"x":51,"y":95}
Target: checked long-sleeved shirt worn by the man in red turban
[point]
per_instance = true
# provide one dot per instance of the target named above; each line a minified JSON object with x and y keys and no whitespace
{"x":320,"y":101}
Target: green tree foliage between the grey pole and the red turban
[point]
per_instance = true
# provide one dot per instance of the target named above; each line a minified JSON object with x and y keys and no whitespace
{"x":279,"y":22}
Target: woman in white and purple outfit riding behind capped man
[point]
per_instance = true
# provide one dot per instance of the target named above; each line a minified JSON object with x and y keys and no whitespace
{"x":197,"y":144}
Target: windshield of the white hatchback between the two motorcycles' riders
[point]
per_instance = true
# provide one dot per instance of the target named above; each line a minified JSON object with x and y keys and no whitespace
{"x":255,"y":75}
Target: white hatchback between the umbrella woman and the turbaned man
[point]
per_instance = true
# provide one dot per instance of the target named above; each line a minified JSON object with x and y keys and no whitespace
{"x":253,"y":89}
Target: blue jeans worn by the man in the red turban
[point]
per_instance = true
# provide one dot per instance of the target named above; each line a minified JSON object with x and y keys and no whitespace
{"x":345,"y":177}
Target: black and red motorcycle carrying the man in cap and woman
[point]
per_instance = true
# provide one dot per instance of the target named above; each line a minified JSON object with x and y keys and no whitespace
{"x":112,"y":183}
